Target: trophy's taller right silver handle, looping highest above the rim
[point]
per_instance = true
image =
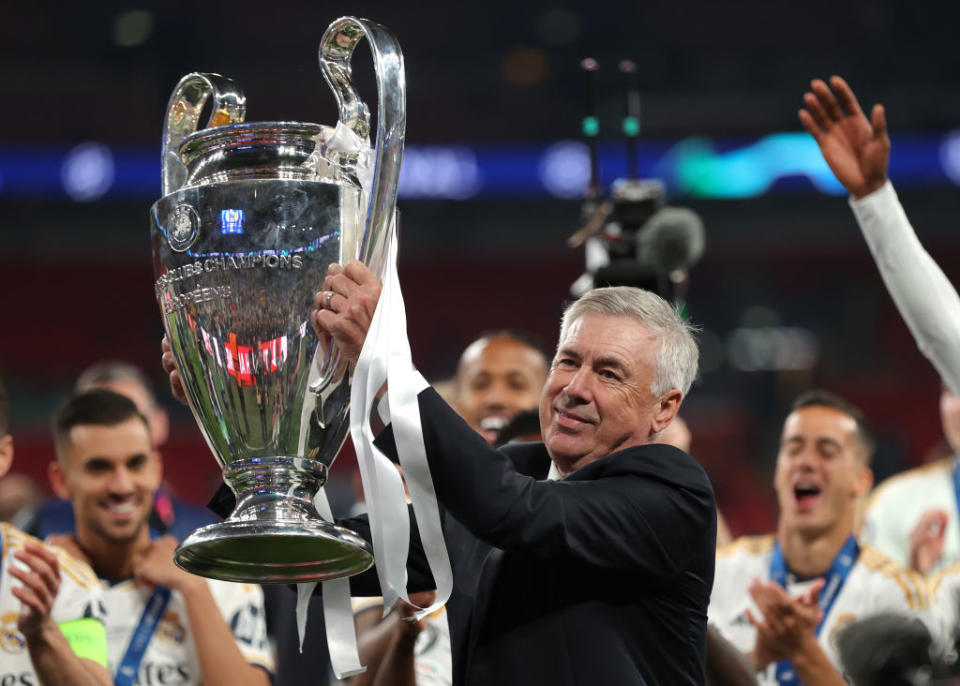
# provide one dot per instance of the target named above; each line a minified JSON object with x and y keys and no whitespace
{"x":336,"y":49}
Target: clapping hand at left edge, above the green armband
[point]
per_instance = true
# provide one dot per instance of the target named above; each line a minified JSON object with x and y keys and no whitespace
{"x":41,"y":583}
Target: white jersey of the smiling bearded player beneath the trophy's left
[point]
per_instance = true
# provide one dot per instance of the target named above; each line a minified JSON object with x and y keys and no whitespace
{"x":171,"y":658}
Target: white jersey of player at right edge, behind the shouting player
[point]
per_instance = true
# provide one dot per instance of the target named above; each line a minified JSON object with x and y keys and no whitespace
{"x":896,"y":506}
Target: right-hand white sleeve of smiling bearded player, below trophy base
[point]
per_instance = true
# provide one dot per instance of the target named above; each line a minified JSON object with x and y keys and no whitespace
{"x":242,"y":609}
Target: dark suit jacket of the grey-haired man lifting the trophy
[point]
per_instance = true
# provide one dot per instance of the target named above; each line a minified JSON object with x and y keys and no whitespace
{"x":602,"y":578}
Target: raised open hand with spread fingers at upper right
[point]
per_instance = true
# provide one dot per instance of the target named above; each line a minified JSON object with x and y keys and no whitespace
{"x":857,"y":150}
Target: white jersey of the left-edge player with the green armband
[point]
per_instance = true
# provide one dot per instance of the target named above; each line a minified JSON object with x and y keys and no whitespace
{"x":80,"y":596}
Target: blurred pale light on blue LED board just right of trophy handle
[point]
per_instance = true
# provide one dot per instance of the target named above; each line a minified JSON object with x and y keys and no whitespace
{"x":449,"y":172}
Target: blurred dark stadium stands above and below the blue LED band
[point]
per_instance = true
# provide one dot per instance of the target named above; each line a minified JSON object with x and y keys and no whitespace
{"x":76,"y":278}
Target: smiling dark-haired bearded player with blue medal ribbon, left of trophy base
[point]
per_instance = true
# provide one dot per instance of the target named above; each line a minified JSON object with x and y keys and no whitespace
{"x":164,"y":626}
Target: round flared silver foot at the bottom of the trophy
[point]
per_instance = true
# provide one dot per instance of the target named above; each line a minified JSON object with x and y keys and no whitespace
{"x":274,"y":552}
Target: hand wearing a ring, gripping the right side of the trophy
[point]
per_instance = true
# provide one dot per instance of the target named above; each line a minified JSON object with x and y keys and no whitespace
{"x":345,"y":307}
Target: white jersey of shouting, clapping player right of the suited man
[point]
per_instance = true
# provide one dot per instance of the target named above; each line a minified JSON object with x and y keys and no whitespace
{"x":875,"y":584}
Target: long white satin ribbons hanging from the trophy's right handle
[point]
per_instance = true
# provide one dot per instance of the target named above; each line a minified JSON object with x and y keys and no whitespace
{"x":384,"y":358}
